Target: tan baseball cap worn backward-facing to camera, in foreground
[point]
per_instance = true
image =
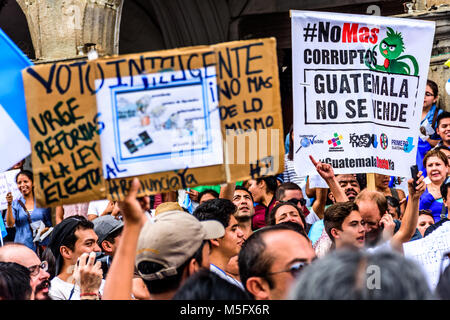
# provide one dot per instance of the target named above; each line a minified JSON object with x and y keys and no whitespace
{"x":171,"y":239}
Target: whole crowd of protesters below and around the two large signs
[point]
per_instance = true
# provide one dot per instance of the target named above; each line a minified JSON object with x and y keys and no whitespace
{"x":272,"y":237}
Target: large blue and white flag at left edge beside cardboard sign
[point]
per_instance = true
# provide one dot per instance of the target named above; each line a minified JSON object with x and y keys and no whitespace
{"x":14,"y":136}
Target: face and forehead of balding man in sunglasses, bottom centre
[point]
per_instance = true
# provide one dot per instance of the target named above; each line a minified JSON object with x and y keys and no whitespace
{"x":287,"y":248}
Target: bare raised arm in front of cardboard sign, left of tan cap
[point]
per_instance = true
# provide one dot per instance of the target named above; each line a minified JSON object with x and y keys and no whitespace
{"x":118,"y":284}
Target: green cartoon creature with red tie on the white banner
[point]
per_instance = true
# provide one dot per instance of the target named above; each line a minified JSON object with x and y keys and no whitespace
{"x":391,"y":48}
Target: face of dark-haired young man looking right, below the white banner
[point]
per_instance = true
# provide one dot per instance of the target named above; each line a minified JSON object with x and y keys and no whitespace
{"x":352,"y":233}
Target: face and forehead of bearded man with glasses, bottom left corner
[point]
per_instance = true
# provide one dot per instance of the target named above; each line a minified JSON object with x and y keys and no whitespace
{"x":40,"y":282}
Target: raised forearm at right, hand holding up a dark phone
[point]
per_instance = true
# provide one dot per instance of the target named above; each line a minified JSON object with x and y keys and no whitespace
{"x":409,"y":221}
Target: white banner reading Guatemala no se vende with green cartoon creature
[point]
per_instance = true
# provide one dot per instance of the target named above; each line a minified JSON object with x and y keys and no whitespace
{"x":358,"y":90}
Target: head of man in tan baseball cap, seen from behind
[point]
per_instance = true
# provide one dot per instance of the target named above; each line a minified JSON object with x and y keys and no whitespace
{"x":173,"y":248}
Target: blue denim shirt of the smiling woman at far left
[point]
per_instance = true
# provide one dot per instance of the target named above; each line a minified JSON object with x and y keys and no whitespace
{"x":23,"y":232}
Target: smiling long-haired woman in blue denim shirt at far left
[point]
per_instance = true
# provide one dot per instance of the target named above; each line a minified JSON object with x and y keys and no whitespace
{"x":23,"y":214}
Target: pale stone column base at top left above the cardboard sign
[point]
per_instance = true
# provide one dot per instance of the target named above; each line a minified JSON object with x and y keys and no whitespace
{"x":64,"y":29}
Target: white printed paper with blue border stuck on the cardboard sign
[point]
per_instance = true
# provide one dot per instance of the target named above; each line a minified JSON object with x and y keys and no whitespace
{"x":167,"y":117}
